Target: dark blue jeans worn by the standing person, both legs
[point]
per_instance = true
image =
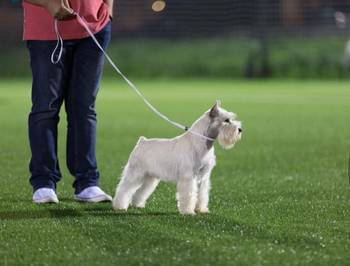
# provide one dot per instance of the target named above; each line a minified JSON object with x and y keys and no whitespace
{"x":74,"y":81}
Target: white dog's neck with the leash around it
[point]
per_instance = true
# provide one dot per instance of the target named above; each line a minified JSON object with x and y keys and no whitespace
{"x":202,"y":126}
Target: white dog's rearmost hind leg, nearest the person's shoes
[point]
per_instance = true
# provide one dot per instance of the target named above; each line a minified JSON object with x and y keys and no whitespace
{"x":130,"y":182}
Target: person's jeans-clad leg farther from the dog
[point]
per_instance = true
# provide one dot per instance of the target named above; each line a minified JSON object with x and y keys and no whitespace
{"x":47,"y":95}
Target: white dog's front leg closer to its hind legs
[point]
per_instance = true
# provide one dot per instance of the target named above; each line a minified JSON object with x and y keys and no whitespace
{"x":187,"y":195}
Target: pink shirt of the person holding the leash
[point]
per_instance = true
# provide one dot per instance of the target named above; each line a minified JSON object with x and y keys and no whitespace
{"x":39,"y":25}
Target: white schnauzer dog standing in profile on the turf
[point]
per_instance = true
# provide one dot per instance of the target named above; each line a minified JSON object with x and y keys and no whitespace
{"x":187,"y":160}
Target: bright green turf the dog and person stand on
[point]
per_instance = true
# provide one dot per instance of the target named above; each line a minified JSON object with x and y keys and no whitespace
{"x":280,"y":197}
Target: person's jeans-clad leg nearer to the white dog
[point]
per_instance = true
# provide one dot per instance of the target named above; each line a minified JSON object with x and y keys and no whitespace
{"x":86,"y":73}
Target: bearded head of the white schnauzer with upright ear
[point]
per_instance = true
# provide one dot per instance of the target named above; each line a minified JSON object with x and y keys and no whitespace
{"x":224,"y":126}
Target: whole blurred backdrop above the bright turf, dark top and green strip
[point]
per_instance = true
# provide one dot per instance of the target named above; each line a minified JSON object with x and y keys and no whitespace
{"x":251,"y":39}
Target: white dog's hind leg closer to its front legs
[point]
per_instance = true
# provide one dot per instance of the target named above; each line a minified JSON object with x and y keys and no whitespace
{"x":144,"y":192}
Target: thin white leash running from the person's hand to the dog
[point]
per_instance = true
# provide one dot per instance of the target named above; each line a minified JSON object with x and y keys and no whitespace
{"x":138,"y":92}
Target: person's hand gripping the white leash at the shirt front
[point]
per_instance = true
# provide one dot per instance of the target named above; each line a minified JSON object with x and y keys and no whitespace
{"x":59,"y":9}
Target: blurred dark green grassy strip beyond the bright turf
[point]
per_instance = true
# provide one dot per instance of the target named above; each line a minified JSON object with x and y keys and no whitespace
{"x":300,"y":58}
